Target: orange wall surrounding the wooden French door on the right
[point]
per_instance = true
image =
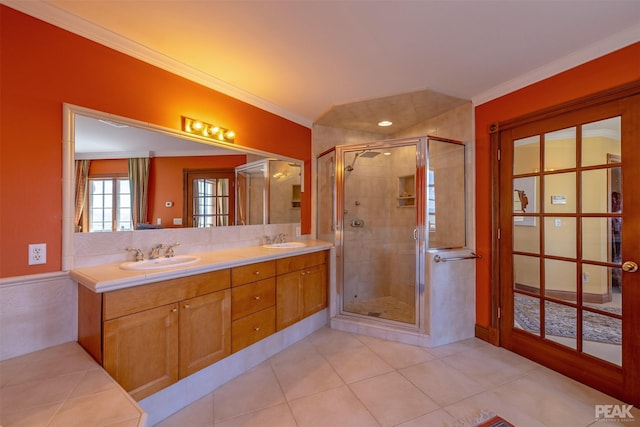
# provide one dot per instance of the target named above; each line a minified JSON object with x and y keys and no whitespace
{"x":614,"y":69}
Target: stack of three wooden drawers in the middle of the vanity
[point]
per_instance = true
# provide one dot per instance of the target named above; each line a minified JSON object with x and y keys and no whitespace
{"x":253,"y":301}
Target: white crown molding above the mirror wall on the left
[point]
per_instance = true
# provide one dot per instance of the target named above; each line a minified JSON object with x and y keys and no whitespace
{"x":60,"y":18}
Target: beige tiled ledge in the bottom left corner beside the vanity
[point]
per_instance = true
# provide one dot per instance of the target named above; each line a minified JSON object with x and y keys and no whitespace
{"x":63,"y":386}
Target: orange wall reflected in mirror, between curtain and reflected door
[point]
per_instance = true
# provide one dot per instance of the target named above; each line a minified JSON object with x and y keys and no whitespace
{"x":166,"y":182}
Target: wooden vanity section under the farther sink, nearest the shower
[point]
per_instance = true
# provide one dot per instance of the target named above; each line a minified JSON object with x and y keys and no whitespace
{"x":301,"y":287}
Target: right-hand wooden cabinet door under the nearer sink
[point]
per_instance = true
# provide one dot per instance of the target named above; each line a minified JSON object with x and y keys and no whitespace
{"x":205,"y":326}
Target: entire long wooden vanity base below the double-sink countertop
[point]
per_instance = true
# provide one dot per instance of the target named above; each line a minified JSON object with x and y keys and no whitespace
{"x":148,"y":337}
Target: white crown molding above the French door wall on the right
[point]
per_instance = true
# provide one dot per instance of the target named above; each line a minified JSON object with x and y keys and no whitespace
{"x":591,"y":52}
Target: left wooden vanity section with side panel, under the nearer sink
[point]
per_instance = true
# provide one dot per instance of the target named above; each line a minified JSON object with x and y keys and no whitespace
{"x":155,"y":334}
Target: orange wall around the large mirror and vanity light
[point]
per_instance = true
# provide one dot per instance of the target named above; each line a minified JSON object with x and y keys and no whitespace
{"x":42,"y":67}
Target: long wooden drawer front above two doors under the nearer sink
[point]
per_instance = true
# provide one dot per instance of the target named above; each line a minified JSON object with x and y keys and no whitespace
{"x":132,"y":300}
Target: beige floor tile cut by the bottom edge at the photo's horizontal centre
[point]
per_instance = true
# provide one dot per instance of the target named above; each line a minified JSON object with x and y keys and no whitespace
{"x":336,"y":408}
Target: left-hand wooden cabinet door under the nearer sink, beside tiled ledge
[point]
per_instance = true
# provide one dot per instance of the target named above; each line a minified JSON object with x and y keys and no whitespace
{"x":141,"y":350}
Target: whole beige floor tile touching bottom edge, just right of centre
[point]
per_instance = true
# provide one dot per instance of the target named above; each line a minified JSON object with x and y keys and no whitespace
{"x":392,"y":399}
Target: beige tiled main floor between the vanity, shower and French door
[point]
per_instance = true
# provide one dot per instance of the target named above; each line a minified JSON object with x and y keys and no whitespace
{"x":334,"y":378}
